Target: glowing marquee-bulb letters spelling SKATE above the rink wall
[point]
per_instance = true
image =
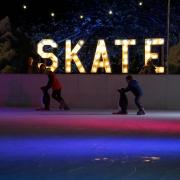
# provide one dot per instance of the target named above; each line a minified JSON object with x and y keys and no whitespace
{"x":101,"y":58}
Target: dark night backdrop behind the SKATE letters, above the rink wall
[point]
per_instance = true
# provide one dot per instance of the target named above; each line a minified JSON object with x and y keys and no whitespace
{"x":128,"y":20}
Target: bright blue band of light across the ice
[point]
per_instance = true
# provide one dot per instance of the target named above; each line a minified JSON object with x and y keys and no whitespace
{"x":86,"y":147}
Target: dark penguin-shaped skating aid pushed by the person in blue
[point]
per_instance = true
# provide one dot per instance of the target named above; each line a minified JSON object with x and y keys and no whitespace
{"x":123,"y":102}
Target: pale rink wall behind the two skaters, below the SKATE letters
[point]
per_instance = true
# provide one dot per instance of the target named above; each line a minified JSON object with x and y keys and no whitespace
{"x":161,"y":92}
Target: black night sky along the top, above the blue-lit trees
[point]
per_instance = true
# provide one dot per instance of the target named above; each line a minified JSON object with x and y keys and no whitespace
{"x":38,"y":9}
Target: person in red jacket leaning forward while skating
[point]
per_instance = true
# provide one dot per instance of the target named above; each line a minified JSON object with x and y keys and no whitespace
{"x":56,"y":86}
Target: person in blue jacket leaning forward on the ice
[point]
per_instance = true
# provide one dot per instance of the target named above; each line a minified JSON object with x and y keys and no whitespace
{"x":135,"y":88}
